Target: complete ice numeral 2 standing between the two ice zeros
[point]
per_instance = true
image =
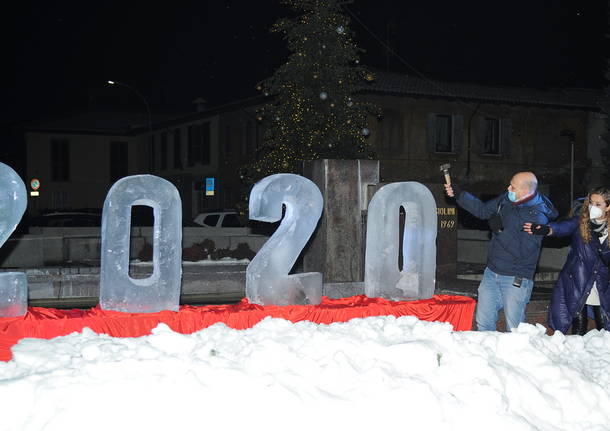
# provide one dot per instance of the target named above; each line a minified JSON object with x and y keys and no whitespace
{"x":267,"y":279}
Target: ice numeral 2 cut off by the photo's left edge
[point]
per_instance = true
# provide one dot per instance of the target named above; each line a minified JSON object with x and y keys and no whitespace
{"x":13,"y":200}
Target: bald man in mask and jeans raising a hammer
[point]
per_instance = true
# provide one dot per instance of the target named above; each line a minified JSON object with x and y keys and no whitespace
{"x":512,"y":254}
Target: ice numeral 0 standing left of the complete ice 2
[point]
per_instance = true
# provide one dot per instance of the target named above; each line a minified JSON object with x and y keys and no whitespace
{"x":160,"y":291}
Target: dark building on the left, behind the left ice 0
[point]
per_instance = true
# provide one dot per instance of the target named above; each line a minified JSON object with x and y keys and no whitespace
{"x":77,"y":159}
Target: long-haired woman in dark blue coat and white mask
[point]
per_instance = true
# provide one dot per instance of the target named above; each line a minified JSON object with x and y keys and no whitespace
{"x":584,"y":278}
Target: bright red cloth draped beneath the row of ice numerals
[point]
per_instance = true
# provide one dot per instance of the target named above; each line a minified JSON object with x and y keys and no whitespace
{"x":50,"y":322}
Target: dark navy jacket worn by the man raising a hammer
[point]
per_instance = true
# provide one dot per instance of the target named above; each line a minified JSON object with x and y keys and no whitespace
{"x":512,"y":251}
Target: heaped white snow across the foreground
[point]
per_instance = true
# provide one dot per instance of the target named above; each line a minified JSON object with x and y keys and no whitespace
{"x":373,"y":373}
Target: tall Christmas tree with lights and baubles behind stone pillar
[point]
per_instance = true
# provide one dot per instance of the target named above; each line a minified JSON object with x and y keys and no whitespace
{"x":311,"y":111}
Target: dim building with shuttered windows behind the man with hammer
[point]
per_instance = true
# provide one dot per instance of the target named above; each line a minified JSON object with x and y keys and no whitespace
{"x":487,"y":134}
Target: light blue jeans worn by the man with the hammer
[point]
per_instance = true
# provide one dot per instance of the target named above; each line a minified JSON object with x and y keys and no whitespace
{"x":496,"y":292}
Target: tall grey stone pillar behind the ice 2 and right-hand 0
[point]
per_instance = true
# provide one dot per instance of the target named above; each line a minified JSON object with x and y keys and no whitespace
{"x":337,"y":246}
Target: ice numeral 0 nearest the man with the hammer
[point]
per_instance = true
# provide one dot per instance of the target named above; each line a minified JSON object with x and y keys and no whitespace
{"x":381,"y":275}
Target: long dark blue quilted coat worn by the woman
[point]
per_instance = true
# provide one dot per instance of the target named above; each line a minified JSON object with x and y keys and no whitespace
{"x":587,"y":263}
